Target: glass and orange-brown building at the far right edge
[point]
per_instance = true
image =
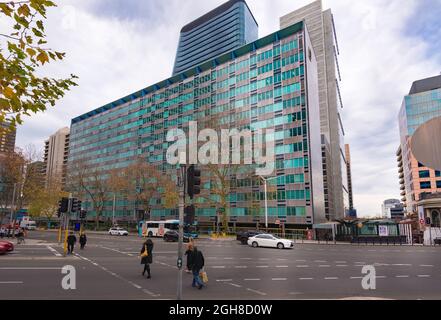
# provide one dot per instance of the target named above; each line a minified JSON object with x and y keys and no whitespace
{"x":422,"y":104}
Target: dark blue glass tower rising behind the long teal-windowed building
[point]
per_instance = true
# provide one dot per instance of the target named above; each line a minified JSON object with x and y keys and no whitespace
{"x":221,"y":30}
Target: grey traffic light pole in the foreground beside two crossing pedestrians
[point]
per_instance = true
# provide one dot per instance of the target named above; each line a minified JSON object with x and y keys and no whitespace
{"x":181,"y":187}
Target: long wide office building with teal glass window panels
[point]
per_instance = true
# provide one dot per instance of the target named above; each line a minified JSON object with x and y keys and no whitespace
{"x":270,"y":83}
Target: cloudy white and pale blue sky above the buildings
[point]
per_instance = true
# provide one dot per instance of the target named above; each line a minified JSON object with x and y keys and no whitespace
{"x":119,"y":46}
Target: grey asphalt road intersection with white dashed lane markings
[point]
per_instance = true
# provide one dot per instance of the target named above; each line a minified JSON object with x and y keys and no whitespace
{"x":109,"y":268}
